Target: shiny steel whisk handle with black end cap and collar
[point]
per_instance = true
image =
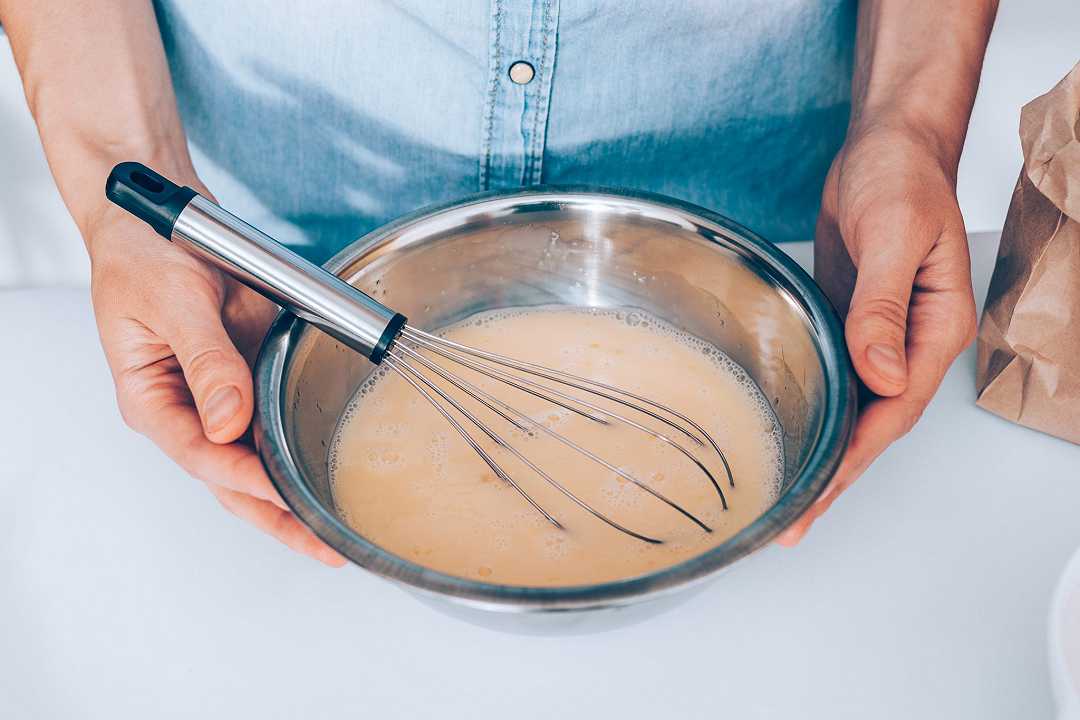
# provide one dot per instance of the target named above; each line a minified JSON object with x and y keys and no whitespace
{"x":220,"y":238}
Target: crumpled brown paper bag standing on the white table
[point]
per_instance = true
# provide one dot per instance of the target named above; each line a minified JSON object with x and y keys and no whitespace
{"x":1030,"y":336}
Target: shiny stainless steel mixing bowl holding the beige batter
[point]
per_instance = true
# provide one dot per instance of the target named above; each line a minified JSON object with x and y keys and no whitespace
{"x":572,"y":247}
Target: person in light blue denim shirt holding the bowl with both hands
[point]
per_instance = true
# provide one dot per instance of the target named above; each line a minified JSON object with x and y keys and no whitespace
{"x":798,"y":118}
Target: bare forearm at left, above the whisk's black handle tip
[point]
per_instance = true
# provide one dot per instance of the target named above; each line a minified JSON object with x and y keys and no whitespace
{"x":97,"y":81}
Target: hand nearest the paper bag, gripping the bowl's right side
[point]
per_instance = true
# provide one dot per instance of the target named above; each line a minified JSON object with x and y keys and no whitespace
{"x":892,"y":253}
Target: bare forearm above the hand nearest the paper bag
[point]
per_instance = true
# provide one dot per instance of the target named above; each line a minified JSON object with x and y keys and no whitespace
{"x":917,"y":67}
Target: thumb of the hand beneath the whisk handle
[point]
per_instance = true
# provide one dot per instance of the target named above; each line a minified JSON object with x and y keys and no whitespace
{"x":218,"y":376}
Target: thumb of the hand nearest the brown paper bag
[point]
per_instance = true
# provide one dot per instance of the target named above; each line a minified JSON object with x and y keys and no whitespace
{"x":877,"y":320}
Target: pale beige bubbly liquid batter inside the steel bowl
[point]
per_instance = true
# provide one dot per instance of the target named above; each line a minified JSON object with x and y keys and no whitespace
{"x":406,"y":480}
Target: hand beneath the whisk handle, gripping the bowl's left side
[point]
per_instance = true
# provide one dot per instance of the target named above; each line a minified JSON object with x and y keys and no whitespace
{"x":179,"y":337}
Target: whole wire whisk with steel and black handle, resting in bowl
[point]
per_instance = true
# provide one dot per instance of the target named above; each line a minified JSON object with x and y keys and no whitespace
{"x":384,"y":336}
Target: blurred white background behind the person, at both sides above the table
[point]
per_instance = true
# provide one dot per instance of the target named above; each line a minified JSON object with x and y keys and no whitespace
{"x":1035,"y":44}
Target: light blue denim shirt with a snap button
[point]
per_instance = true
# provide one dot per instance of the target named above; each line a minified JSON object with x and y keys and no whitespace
{"x":320,"y":121}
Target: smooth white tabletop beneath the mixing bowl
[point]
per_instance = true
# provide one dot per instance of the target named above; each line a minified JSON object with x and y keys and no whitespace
{"x":126,"y":592}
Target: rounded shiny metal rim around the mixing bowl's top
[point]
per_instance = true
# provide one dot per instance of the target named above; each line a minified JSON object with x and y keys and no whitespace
{"x":275,"y":361}
